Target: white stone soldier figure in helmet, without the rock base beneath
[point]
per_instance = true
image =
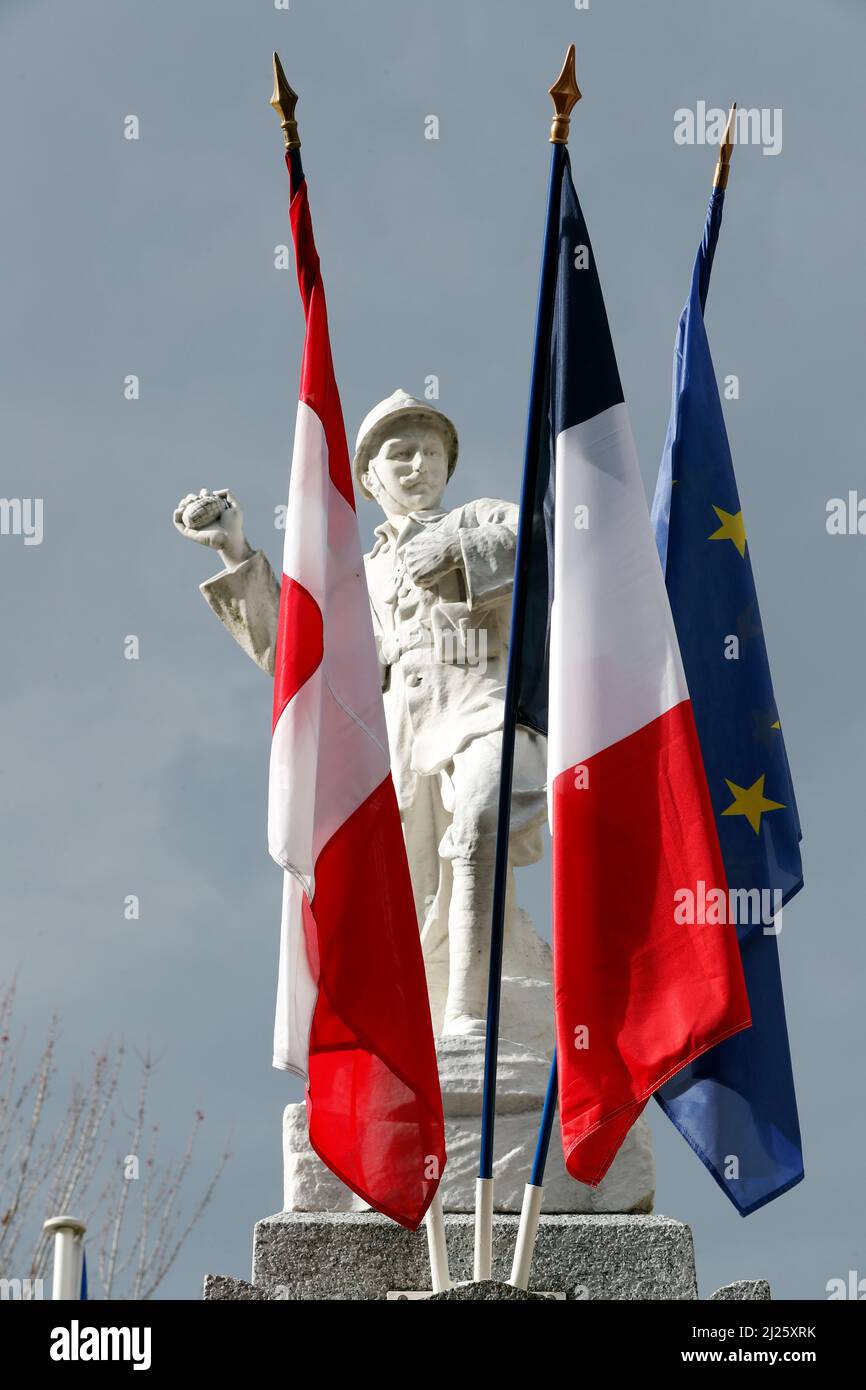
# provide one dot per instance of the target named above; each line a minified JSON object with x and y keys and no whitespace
{"x":441,"y":596}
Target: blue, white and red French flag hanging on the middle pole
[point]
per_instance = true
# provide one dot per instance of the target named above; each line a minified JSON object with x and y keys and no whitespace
{"x":637,"y":995}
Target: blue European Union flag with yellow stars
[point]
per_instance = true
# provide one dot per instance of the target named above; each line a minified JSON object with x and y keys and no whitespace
{"x":736,"y":1106}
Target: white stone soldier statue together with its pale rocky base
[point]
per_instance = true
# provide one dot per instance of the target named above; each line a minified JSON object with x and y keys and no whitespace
{"x":441,"y":596}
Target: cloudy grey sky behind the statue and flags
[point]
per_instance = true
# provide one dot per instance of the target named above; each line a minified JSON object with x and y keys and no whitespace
{"x":156,"y":258}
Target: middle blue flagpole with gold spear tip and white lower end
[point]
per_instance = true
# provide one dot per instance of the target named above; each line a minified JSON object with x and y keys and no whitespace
{"x":565,"y":95}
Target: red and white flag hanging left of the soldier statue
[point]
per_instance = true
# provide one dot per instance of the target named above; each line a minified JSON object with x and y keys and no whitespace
{"x":352,"y":1010}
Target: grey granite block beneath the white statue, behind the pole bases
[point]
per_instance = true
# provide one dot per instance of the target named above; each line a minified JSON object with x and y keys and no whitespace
{"x":361,"y":1256}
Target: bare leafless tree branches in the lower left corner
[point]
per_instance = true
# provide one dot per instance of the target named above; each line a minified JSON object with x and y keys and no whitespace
{"x":52,"y":1166}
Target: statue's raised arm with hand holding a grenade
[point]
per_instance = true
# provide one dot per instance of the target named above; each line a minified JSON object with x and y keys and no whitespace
{"x":245,"y":597}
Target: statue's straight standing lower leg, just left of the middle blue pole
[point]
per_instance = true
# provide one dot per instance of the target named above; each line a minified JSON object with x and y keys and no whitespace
{"x":469,"y":946}
